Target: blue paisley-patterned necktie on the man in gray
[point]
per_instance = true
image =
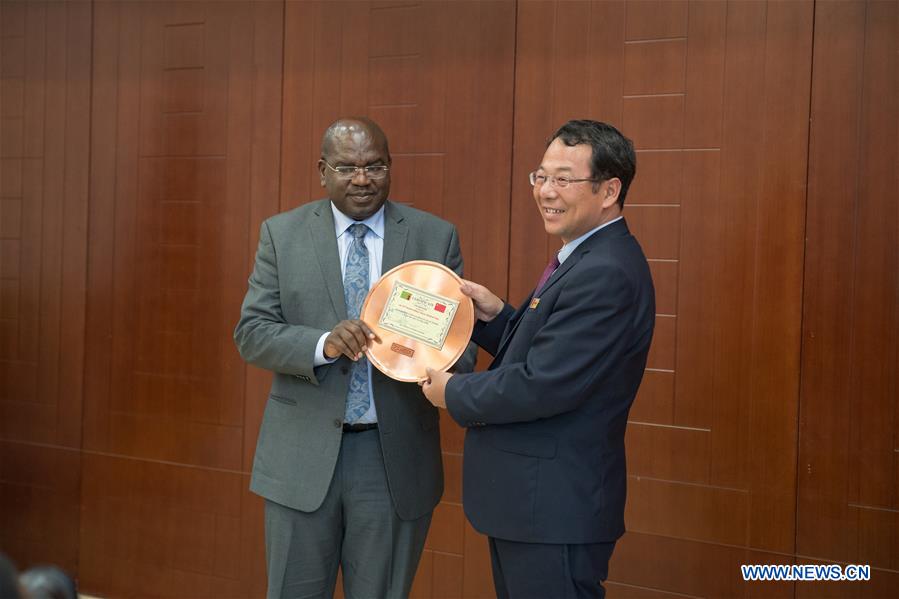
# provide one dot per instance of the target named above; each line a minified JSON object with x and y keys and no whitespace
{"x":355,"y":288}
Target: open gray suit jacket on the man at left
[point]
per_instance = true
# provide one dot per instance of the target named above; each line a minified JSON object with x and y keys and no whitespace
{"x":295,"y":295}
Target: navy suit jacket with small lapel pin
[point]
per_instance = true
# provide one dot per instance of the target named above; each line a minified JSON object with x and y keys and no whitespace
{"x":544,"y":448}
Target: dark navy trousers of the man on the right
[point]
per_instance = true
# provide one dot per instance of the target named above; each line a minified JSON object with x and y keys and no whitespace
{"x":549,"y":571}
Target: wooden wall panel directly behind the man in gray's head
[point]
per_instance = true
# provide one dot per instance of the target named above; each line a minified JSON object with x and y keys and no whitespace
{"x":438,"y":77}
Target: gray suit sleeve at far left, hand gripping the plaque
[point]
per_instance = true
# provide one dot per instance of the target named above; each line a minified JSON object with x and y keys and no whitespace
{"x":263,"y":337}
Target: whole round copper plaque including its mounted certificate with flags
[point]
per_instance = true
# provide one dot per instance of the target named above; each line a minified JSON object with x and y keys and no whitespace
{"x":422,"y":318}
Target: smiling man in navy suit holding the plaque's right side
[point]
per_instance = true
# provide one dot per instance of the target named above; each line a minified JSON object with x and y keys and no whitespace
{"x":544,"y":467}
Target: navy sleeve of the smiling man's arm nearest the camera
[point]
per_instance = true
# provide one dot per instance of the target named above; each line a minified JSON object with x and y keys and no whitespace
{"x":580,"y":344}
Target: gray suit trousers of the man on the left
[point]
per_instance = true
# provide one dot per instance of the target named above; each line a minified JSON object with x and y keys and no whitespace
{"x":356,"y":528}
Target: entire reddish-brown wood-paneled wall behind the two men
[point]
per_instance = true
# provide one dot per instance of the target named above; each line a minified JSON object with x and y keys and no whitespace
{"x":142,"y":143}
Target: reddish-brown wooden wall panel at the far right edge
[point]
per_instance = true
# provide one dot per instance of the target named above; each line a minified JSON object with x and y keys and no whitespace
{"x":848,"y":507}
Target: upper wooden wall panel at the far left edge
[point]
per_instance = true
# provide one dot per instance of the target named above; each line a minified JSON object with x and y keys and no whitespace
{"x":43,"y":219}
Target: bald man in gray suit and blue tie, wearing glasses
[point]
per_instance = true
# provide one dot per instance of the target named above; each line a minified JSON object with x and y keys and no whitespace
{"x":348,"y":460}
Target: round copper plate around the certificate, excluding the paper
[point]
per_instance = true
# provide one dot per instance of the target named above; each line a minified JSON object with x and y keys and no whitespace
{"x":399,"y":356}
